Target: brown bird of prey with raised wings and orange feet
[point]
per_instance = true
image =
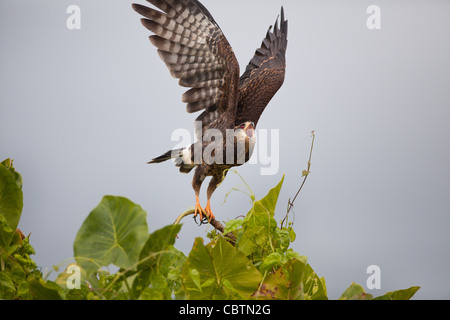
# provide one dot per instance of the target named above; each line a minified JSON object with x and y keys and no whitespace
{"x":197,"y":53}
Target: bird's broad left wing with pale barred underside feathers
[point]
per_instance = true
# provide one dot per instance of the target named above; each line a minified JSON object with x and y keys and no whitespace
{"x":196,"y":52}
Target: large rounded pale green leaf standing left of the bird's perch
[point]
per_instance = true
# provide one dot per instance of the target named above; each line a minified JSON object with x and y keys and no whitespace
{"x":113,"y":233}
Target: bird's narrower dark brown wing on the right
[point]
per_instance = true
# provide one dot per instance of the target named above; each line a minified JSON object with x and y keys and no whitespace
{"x":264,"y":74}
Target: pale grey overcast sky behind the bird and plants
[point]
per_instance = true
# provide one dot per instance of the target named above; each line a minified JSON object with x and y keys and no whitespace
{"x":82,"y":111}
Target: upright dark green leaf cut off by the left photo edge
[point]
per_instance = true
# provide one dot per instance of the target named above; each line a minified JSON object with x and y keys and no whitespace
{"x":11,"y":204}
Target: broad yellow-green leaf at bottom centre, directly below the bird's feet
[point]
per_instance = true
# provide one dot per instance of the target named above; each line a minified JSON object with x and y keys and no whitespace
{"x":224,"y":272}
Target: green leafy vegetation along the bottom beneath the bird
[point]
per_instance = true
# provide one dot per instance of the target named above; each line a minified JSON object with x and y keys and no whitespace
{"x":256,"y":263}
